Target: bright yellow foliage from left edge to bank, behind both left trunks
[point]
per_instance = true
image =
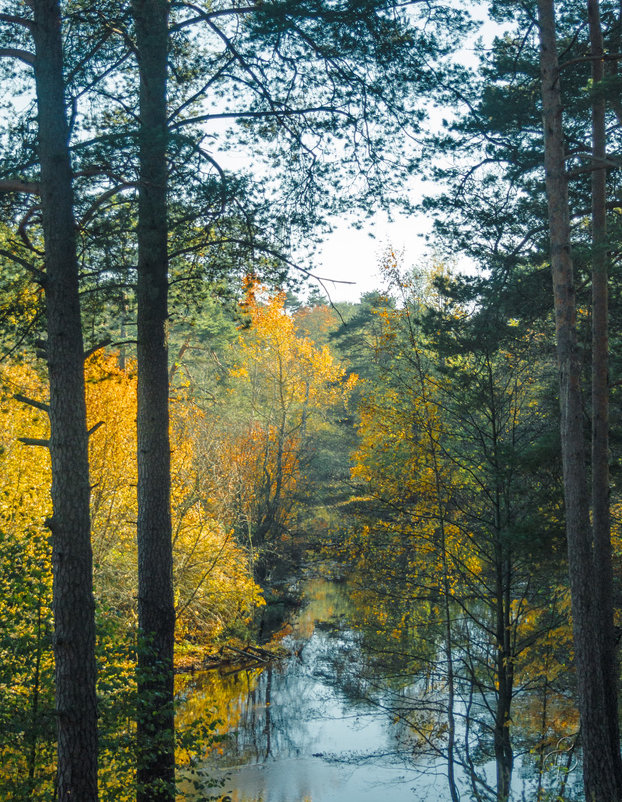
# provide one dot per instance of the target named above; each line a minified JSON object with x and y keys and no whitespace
{"x":214,"y":586}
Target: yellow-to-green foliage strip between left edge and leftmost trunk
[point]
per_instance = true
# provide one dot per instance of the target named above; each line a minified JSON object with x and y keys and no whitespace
{"x":26,"y":665}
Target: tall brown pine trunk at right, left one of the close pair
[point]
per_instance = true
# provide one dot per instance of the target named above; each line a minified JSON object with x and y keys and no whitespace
{"x":599,"y":760}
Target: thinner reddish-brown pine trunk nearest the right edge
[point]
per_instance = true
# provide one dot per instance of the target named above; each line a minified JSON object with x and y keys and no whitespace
{"x":603,"y":568}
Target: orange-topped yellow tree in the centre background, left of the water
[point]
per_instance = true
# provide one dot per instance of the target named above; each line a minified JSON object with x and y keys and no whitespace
{"x":282,"y":391}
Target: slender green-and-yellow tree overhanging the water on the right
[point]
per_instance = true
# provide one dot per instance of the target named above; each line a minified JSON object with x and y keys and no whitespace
{"x":461,"y":513}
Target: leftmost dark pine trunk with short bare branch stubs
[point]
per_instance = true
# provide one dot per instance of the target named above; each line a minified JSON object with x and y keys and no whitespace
{"x":74,"y":623}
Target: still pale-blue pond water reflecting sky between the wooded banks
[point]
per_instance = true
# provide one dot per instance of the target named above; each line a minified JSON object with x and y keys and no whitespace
{"x":318,"y":727}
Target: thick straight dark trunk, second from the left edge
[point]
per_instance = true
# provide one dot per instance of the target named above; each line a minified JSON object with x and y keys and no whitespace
{"x":156,"y":612}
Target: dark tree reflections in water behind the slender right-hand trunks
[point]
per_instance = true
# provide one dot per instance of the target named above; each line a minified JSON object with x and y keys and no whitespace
{"x":408,"y":680}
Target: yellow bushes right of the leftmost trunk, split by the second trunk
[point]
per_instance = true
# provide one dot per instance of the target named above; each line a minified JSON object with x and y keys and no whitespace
{"x":213,"y":584}
